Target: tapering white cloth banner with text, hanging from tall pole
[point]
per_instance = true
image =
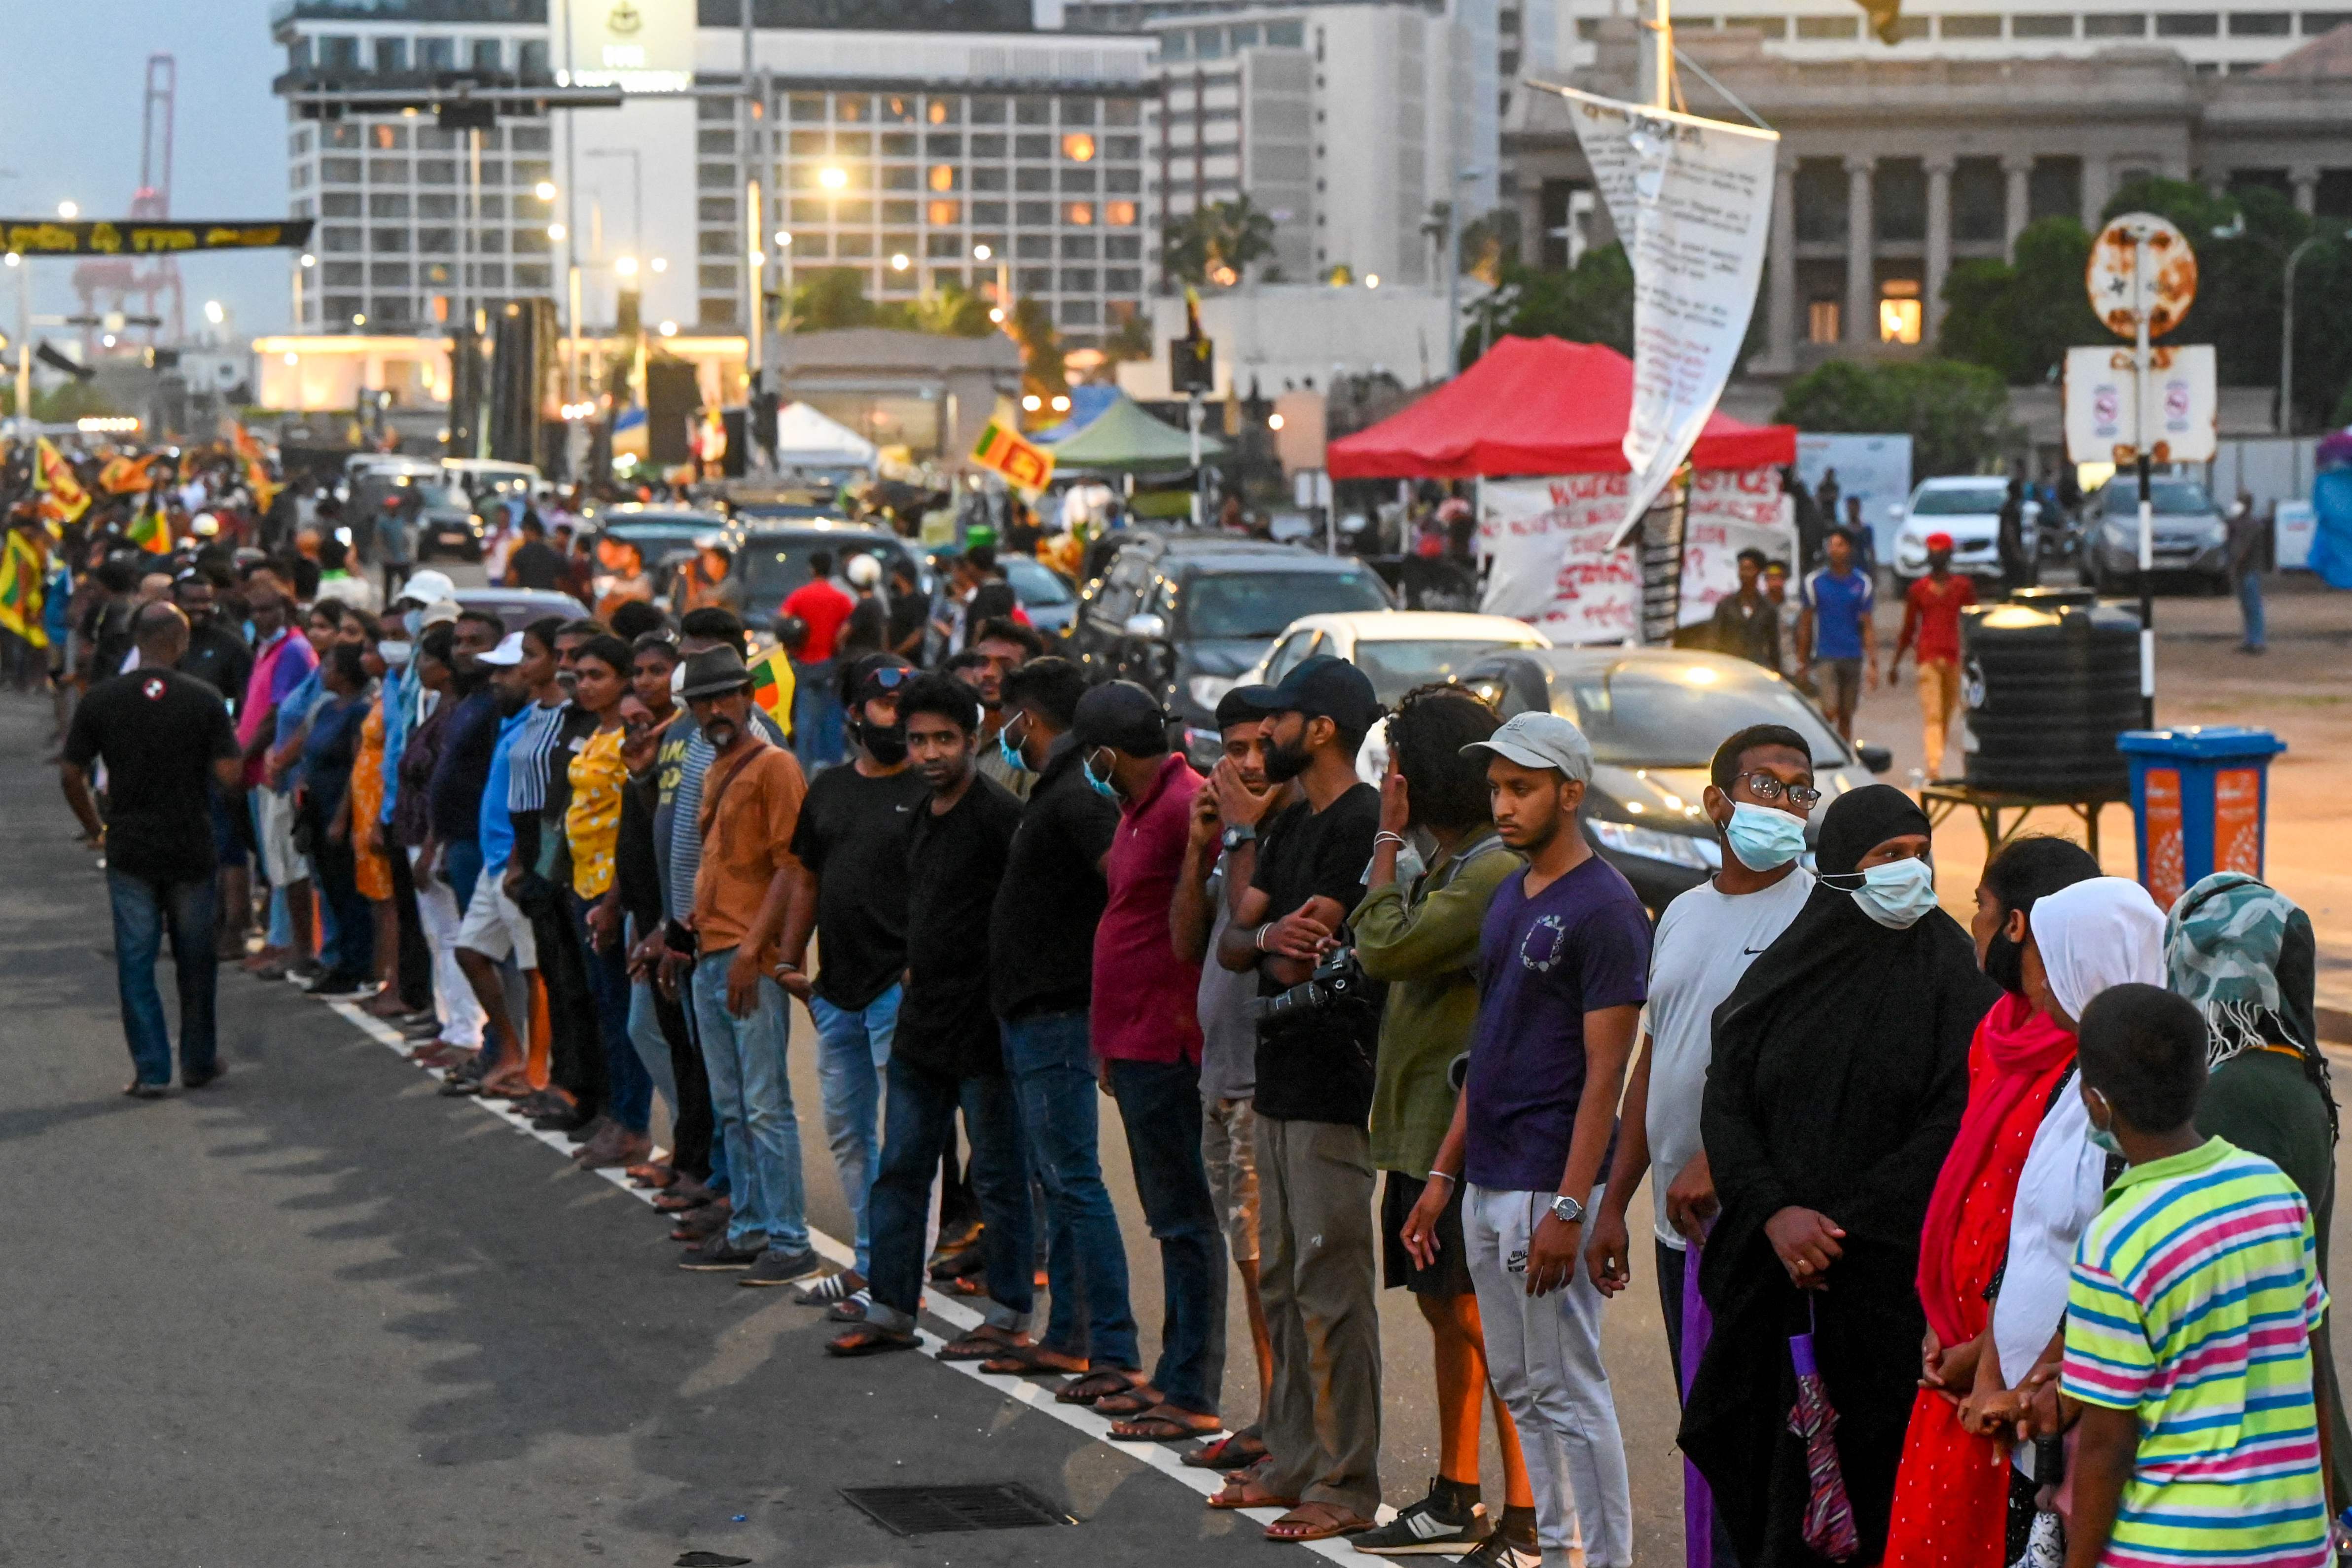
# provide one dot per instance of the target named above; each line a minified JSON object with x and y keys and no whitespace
{"x":1692,"y":203}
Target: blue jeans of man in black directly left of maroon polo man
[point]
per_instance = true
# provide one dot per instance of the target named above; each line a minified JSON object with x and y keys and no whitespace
{"x":1053,"y":1071}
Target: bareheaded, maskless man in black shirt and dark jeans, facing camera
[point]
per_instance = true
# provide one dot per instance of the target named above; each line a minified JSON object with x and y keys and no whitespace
{"x":947,"y":1054}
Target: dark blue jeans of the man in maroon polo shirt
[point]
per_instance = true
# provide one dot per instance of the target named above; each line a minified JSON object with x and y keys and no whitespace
{"x":1161,"y":1111}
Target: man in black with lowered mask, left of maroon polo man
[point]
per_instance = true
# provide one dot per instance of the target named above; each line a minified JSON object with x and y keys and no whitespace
{"x":1041,"y":984}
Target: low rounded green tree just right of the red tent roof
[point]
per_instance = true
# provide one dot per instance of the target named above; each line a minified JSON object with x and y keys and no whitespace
{"x":1958,"y":415}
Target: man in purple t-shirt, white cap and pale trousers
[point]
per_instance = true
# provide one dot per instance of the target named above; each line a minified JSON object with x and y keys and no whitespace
{"x":1563,"y":977}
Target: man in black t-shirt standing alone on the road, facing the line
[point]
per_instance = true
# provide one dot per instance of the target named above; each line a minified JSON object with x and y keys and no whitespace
{"x":166,"y":742}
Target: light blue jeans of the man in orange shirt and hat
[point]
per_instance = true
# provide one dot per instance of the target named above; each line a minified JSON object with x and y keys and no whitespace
{"x":754,"y":1104}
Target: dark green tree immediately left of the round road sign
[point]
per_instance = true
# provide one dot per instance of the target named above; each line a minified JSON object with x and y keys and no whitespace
{"x":2019,"y":319}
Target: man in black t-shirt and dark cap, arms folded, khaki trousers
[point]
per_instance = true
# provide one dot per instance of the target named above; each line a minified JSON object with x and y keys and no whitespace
{"x":1292,"y":892}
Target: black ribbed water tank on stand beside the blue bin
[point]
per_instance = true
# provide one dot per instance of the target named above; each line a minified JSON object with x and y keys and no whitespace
{"x":2052,"y":681}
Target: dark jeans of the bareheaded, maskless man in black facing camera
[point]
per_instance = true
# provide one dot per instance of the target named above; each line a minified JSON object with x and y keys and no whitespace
{"x":916,"y":1120}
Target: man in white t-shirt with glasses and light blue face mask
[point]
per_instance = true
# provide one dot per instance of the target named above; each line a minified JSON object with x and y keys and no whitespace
{"x":1758,"y":798}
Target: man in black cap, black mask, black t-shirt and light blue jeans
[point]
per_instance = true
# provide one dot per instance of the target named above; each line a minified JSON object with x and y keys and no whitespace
{"x":853,"y":845}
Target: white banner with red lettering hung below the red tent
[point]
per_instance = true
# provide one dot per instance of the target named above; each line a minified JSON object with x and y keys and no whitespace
{"x":1551,"y":554}
